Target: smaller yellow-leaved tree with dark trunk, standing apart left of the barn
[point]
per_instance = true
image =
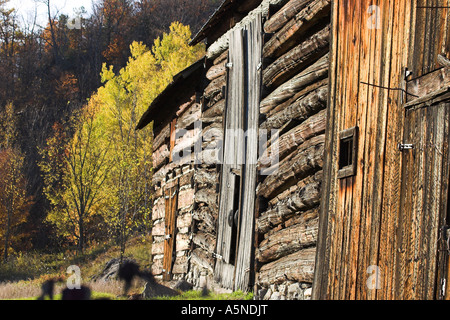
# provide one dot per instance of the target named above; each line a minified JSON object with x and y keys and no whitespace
{"x":74,"y":169}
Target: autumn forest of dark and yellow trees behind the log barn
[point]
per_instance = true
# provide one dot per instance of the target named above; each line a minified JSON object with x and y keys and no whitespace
{"x":73,"y":171}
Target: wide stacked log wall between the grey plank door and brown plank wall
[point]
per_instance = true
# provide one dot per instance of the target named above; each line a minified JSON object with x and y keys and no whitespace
{"x":295,"y":83}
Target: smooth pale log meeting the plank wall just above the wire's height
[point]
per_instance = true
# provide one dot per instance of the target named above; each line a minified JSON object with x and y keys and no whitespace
{"x":310,"y":75}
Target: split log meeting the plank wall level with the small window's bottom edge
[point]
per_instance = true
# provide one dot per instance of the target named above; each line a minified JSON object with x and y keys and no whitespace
{"x":304,"y":199}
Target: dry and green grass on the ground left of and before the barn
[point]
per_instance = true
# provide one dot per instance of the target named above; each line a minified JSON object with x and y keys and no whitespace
{"x":22,"y":276}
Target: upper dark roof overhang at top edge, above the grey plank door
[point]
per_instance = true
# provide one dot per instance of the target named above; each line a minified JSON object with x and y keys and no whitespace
{"x":226,"y":15}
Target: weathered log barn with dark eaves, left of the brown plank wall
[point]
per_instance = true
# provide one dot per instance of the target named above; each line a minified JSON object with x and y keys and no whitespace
{"x":240,"y":210}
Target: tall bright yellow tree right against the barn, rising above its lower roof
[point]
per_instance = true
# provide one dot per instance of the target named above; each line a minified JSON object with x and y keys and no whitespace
{"x":121,"y":101}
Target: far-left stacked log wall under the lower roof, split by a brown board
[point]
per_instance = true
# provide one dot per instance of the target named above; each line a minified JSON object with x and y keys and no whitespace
{"x":175,"y":170}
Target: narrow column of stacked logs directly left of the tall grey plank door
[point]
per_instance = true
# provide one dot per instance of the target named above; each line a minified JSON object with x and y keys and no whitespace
{"x":206,"y":176}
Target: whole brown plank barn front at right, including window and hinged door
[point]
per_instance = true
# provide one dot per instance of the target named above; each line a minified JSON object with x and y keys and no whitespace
{"x":383,"y":229}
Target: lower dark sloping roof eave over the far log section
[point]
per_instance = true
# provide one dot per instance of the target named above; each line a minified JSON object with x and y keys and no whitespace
{"x":176,"y":93}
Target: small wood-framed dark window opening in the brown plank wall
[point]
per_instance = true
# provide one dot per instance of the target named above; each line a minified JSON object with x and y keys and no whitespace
{"x":348,"y":143}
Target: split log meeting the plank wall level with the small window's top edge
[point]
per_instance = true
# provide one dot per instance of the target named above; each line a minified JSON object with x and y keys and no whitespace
{"x":311,"y":127}
